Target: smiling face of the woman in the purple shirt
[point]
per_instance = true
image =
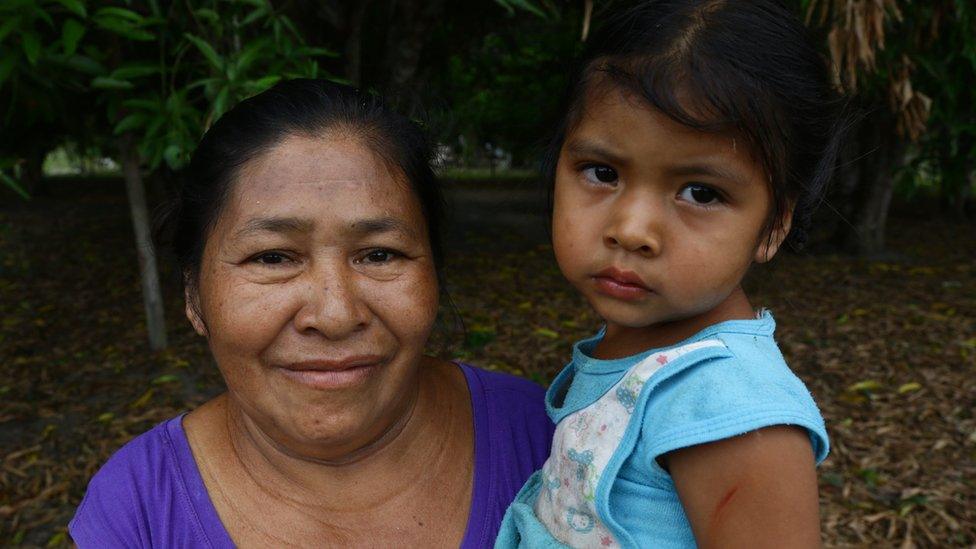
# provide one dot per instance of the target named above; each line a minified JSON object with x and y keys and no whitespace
{"x":317,"y":293}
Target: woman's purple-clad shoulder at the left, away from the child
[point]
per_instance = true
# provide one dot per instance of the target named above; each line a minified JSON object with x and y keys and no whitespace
{"x":143,"y":495}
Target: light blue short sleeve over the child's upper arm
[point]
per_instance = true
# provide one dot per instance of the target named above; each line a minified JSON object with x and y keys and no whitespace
{"x":726,"y":397}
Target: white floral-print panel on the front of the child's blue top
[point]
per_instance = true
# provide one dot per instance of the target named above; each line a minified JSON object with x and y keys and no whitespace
{"x":582,"y":446}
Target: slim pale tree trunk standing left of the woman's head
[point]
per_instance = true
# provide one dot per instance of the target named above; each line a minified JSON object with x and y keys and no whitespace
{"x":149,"y":274}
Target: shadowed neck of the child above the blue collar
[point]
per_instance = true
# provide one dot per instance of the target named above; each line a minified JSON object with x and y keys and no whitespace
{"x":621,"y":341}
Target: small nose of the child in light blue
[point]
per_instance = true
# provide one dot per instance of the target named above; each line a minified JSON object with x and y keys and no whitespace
{"x":635,"y":225}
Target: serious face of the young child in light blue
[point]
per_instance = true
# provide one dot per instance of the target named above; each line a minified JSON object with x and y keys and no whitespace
{"x":655,"y":222}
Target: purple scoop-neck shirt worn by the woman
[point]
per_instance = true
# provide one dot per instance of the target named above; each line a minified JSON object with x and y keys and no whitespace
{"x":150,"y":493}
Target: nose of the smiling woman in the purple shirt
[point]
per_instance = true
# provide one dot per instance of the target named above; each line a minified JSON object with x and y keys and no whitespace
{"x":332,"y":306}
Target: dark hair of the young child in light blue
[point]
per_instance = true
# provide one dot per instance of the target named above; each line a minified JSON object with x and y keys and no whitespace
{"x":741,"y":66}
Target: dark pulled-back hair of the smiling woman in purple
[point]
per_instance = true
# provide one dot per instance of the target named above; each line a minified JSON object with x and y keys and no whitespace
{"x":300,"y":107}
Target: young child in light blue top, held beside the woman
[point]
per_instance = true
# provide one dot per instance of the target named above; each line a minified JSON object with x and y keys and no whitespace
{"x":699,"y":136}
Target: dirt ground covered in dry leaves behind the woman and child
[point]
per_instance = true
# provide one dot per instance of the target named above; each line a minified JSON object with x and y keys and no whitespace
{"x":888,"y":348}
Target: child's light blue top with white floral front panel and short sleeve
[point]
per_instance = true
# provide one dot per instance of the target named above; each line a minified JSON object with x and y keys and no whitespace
{"x":602,"y":485}
